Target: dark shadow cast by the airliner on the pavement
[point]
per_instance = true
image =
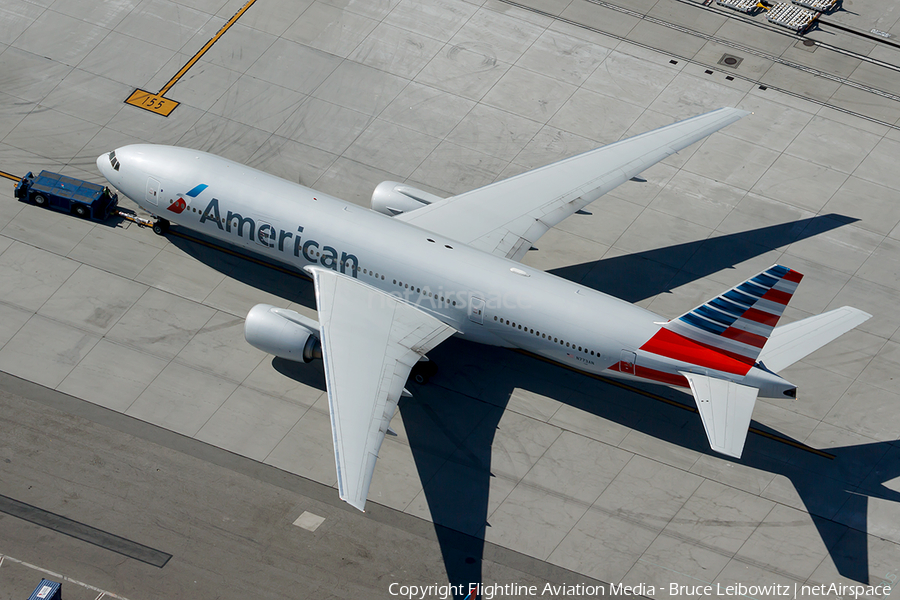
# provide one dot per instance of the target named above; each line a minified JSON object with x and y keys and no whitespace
{"x":451,"y":422}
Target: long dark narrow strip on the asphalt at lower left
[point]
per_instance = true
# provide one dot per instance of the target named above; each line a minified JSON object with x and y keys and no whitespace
{"x":83,"y":532}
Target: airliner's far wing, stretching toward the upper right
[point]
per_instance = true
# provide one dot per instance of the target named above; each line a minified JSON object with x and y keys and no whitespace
{"x":507,"y":217}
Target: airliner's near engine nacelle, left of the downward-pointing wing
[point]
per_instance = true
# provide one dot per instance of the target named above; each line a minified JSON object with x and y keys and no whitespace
{"x":282,"y":332}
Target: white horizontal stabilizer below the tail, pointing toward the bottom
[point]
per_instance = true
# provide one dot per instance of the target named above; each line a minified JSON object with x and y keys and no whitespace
{"x":725,"y":409}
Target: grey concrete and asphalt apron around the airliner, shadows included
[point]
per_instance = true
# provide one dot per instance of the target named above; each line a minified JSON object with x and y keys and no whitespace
{"x":123,"y":351}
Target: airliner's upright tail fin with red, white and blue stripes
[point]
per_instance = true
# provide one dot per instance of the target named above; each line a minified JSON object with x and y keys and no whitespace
{"x":739,"y":322}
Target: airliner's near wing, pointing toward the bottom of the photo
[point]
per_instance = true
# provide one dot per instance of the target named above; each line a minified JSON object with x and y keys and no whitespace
{"x":370,"y":342}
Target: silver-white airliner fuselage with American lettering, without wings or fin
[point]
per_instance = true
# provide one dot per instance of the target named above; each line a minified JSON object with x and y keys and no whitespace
{"x":488,"y":299}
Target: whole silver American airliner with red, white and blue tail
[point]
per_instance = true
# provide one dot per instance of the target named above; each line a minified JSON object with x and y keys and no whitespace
{"x":393,"y":282}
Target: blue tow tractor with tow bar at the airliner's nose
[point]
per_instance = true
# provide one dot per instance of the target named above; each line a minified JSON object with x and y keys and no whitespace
{"x":74,"y":196}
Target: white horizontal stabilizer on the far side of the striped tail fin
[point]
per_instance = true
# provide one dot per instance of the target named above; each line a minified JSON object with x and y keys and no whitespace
{"x":792,"y":342}
